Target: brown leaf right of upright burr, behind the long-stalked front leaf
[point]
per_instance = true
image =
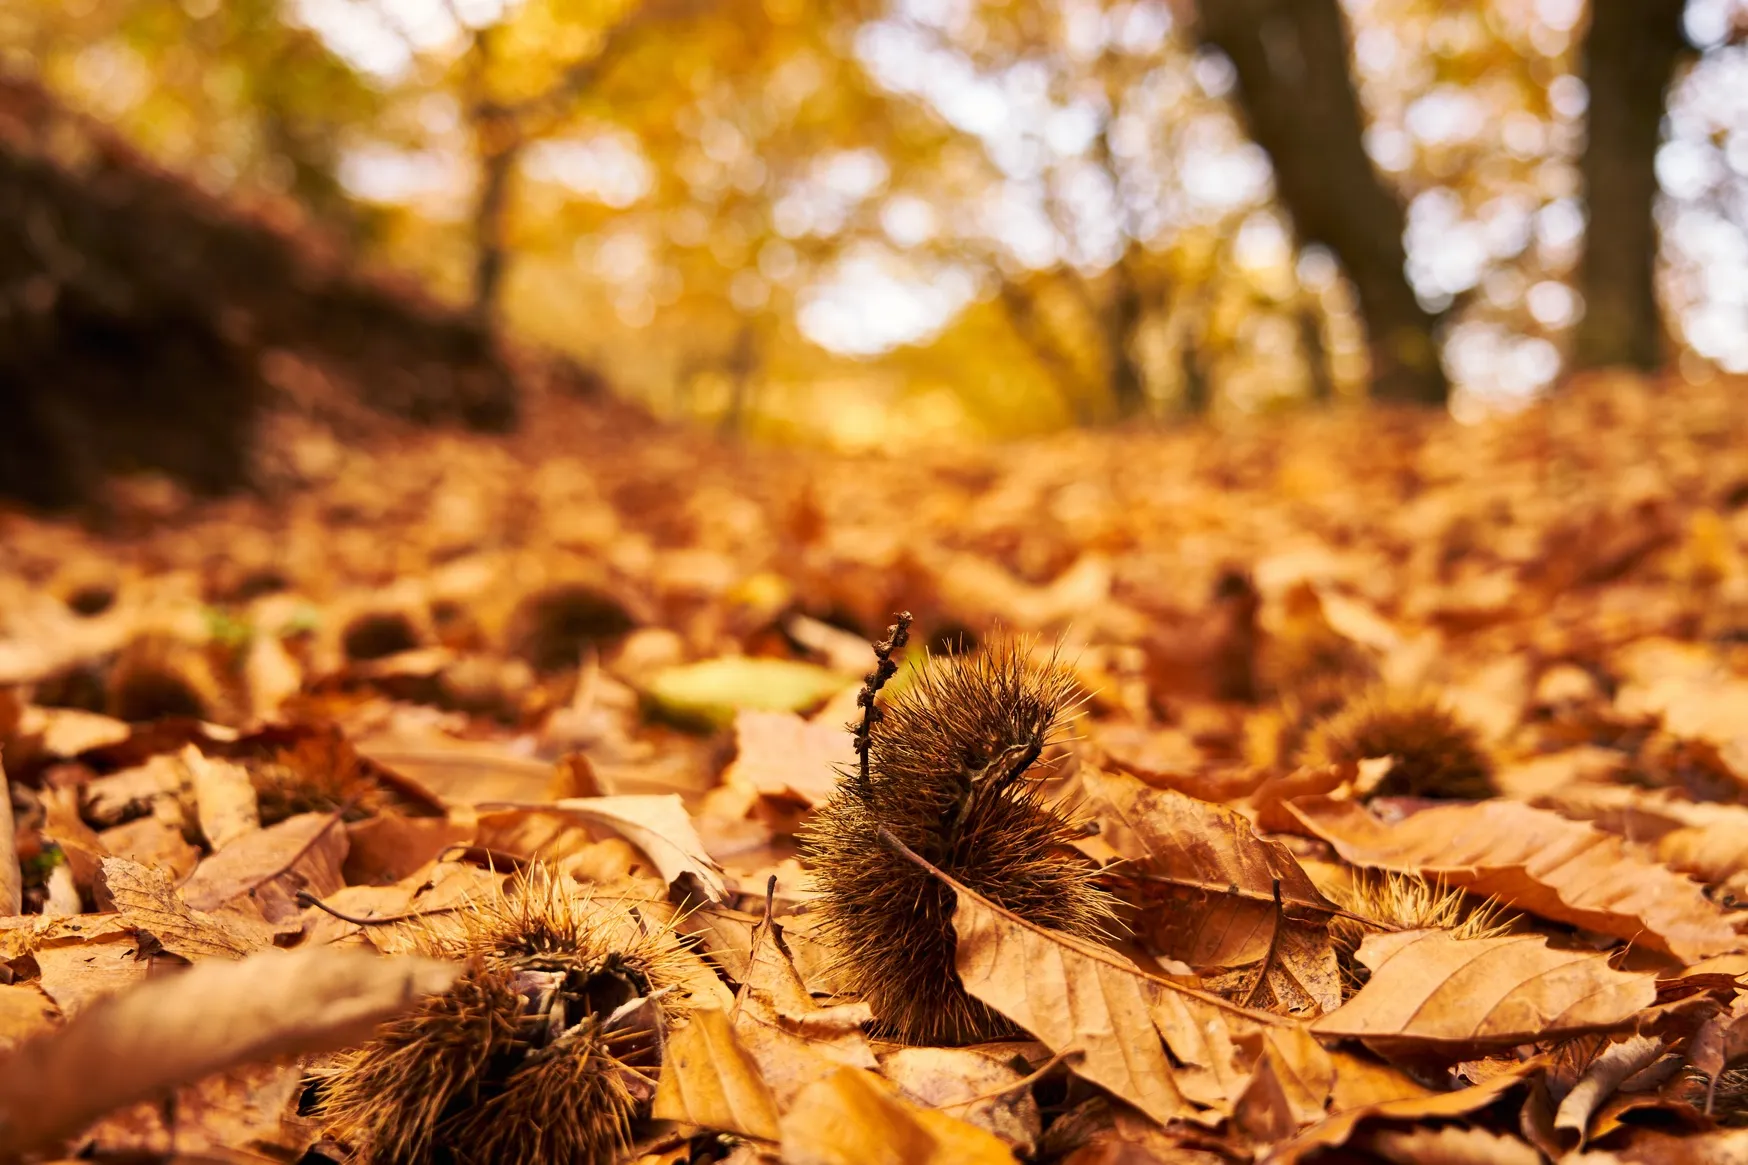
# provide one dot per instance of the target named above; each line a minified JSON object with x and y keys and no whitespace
{"x":1209,"y":886}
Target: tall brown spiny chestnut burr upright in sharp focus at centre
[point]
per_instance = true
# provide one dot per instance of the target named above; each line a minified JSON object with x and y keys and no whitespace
{"x":948,"y":774}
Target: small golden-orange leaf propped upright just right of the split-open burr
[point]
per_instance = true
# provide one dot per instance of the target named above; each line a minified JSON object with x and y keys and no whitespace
{"x":709,"y":1080}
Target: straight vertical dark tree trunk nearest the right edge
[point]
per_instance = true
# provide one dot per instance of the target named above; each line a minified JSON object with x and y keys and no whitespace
{"x":1630,"y":57}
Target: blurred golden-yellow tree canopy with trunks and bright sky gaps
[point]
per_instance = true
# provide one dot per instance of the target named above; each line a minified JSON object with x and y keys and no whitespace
{"x":884,"y":218}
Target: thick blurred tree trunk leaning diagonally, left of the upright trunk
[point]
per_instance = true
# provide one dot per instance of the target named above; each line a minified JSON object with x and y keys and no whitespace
{"x":1303,"y":111}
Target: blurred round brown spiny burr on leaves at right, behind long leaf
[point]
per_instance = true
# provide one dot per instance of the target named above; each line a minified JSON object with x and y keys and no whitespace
{"x":1436,"y":755}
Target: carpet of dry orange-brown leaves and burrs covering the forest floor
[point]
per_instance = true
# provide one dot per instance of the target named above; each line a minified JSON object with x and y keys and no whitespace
{"x":466,"y":781}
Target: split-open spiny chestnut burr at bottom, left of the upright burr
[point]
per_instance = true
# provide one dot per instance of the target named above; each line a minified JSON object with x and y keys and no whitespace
{"x":546,"y":1050}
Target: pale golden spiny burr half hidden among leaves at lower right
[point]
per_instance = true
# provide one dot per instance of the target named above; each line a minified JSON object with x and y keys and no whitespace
{"x":1398,"y":902}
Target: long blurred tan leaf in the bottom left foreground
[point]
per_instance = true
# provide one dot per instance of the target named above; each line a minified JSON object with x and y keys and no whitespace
{"x":184,"y":1028}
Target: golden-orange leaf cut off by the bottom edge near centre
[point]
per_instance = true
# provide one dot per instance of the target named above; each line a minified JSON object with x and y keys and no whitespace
{"x":850,"y":1119}
